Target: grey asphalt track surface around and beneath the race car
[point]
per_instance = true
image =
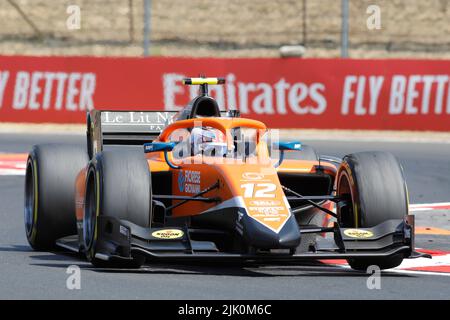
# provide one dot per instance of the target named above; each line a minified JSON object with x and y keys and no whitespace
{"x":30,"y":275}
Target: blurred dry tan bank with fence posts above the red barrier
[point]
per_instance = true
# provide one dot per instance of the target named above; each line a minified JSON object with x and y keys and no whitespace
{"x":223,"y":28}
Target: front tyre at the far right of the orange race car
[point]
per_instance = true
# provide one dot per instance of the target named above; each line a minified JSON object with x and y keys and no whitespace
{"x":375,"y":184}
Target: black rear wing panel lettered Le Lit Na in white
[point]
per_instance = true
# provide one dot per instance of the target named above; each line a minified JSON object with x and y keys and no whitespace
{"x":124,"y":127}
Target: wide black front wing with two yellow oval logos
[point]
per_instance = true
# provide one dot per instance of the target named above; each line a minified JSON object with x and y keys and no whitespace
{"x":120,"y":240}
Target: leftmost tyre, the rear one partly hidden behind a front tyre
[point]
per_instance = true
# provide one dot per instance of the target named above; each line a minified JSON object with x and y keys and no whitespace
{"x":50,"y":193}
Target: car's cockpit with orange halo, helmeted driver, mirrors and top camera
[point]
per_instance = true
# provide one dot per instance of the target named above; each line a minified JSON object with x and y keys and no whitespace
{"x":200,"y":130}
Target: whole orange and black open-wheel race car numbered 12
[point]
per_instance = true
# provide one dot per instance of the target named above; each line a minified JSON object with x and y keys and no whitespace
{"x":205,"y":184}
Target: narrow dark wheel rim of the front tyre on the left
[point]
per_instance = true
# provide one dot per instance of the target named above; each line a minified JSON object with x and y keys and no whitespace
{"x":90,"y":212}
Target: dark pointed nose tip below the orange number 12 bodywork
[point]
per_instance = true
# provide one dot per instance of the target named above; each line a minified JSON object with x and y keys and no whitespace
{"x":261,"y":237}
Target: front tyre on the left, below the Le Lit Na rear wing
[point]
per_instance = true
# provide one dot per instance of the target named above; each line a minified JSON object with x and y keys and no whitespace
{"x":118,"y":185}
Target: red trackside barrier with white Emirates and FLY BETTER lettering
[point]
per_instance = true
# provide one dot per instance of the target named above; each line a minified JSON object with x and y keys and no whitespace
{"x":284,"y":93}
